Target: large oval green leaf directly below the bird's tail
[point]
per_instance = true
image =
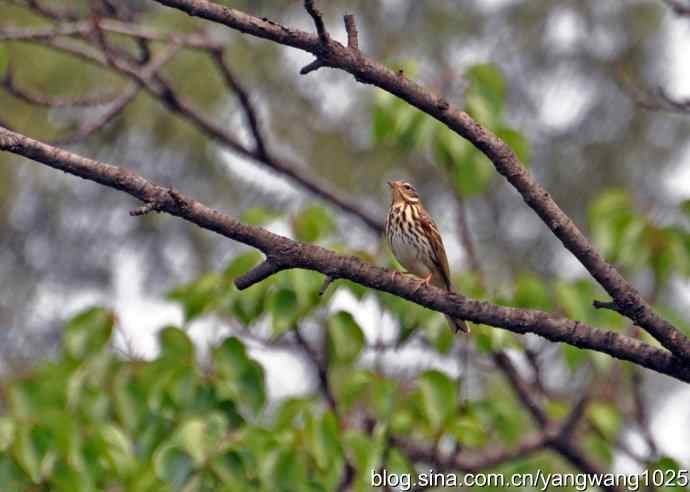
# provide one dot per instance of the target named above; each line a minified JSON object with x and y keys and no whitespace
{"x":439,"y":395}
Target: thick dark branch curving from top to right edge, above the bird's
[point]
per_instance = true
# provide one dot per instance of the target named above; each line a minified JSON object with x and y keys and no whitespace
{"x":369,"y":71}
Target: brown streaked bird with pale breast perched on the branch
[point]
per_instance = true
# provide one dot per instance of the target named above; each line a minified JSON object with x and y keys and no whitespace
{"x":416,"y":243}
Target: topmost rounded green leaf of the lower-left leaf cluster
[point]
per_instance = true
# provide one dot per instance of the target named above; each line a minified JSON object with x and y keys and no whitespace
{"x":88,"y":333}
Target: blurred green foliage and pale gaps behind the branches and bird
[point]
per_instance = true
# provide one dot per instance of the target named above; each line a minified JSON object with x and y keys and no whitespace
{"x":555,"y":79}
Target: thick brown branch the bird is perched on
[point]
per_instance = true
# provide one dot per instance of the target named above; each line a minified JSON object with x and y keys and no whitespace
{"x":286,"y":253}
